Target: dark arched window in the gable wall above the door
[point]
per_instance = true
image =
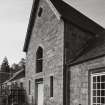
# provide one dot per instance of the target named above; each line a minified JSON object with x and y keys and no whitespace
{"x":39,"y":60}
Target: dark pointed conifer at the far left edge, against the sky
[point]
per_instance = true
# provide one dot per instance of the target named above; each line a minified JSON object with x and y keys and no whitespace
{"x":5,"y":66}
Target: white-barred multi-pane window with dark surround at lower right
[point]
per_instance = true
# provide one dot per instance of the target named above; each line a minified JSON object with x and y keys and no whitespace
{"x":92,"y":73}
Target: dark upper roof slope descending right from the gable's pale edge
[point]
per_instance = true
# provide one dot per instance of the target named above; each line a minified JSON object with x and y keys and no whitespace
{"x":74,"y":16}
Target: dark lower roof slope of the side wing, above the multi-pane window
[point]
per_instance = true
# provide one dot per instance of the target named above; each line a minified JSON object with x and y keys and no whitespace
{"x":95,"y":49}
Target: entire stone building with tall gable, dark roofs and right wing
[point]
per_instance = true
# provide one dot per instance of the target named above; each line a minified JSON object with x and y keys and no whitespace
{"x":63,"y":49}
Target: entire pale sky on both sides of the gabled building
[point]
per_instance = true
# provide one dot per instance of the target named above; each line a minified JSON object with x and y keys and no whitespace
{"x":14,"y":18}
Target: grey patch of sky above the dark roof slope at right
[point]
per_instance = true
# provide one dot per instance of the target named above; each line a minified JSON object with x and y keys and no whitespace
{"x":94,"y":9}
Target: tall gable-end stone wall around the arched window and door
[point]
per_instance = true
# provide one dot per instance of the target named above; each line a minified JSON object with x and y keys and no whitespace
{"x":48,"y":32}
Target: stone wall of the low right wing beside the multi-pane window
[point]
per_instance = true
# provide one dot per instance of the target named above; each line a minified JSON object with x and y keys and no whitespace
{"x":80,"y":81}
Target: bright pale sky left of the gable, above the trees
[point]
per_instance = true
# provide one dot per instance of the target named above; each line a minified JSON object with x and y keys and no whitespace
{"x":14,"y":17}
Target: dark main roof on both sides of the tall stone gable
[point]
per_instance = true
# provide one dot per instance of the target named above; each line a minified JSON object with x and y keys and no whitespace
{"x":67,"y":13}
